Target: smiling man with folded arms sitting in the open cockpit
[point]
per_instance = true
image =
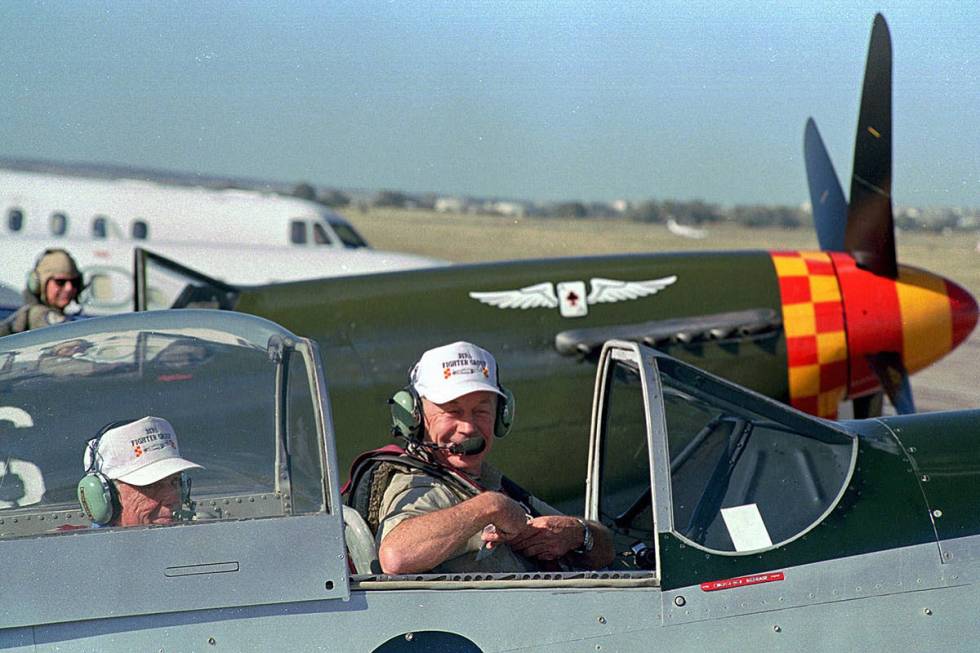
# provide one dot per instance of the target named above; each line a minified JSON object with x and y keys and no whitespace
{"x":462,"y":515}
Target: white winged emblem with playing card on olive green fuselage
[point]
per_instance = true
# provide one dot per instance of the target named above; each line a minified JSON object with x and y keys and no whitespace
{"x":570,"y":297}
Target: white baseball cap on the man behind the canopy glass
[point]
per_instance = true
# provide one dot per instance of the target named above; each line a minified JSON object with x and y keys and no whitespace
{"x":139,"y":453}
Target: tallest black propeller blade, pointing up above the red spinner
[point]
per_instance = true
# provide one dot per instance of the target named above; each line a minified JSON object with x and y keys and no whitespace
{"x":870,"y":233}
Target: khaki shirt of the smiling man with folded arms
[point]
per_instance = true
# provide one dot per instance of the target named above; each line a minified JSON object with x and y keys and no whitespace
{"x":410,"y":494}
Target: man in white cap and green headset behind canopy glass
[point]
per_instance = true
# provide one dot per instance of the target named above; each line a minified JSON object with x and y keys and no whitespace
{"x":133,"y":474}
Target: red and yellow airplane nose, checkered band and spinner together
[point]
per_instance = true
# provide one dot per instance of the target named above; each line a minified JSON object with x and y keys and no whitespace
{"x":835,"y":314}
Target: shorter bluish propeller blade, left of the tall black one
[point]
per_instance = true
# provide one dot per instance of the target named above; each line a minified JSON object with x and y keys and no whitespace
{"x":826,"y":194}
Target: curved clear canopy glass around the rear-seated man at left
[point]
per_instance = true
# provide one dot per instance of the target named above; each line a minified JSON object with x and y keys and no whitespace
{"x":218,"y":393}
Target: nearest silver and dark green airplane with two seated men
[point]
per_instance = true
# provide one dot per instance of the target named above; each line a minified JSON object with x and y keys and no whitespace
{"x":743,"y":522}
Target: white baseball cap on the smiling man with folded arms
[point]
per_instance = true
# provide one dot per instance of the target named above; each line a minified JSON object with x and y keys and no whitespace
{"x":451,"y":371}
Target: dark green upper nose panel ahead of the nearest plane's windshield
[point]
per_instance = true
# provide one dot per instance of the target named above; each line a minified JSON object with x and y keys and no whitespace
{"x":916,"y":481}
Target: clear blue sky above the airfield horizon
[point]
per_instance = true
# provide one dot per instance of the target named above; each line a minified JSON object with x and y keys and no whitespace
{"x":536,"y":100}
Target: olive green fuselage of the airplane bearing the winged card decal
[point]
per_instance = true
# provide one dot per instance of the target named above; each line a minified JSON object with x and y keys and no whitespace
{"x":371,"y":329}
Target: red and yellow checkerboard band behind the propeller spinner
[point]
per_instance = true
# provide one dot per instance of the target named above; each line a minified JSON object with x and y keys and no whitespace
{"x":813,"y":320}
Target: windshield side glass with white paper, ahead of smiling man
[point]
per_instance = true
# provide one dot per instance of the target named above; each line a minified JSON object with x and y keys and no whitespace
{"x":747,"y":478}
